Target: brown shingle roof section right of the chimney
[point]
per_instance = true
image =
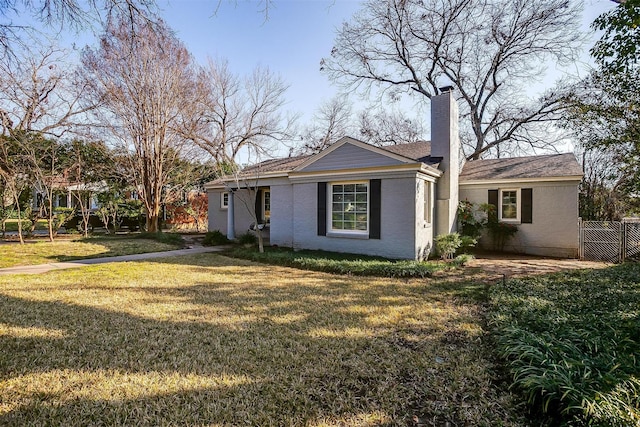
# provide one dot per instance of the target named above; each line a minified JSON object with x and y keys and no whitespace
{"x":553,"y":165}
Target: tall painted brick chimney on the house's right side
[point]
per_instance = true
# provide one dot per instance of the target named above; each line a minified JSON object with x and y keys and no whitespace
{"x":445,"y":143}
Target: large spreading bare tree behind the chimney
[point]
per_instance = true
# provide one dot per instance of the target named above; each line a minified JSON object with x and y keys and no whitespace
{"x":490,"y":51}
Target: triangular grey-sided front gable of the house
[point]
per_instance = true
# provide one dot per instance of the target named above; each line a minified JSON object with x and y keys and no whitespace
{"x":349,"y":153}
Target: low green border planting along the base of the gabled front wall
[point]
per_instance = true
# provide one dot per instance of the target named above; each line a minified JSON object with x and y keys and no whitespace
{"x":339,"y":263}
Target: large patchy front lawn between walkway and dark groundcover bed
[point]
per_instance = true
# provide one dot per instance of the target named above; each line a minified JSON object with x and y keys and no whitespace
{"x":212,"y":340}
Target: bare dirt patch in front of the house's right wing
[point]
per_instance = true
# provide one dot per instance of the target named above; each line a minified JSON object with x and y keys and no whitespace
{"x":510,"y":265}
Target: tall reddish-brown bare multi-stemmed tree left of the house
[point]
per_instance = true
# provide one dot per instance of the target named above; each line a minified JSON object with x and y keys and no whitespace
{"x":144,"y":78}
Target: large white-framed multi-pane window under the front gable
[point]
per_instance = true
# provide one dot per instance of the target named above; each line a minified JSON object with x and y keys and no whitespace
{"x":350,"y":207}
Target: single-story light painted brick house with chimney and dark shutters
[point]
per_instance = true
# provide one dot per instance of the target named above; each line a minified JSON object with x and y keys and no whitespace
{"x":393,"y":201}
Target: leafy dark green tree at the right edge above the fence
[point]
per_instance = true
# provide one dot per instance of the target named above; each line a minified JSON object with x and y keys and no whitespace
{"x":604,"y":109}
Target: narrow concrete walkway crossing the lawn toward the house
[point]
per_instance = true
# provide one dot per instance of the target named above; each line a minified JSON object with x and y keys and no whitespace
{"x":43,"y":268}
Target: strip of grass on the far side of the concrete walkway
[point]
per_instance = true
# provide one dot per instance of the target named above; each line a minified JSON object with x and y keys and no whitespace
{"x":42,"y":252}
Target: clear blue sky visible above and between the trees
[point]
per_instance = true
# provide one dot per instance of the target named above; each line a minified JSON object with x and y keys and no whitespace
{"x":290,"y":41}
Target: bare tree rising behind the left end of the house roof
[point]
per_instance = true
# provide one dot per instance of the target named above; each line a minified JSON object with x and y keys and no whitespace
{"x":238,"y":113}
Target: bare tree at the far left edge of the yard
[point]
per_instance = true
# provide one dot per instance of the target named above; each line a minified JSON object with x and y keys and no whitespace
{"x":39,"y":102}
